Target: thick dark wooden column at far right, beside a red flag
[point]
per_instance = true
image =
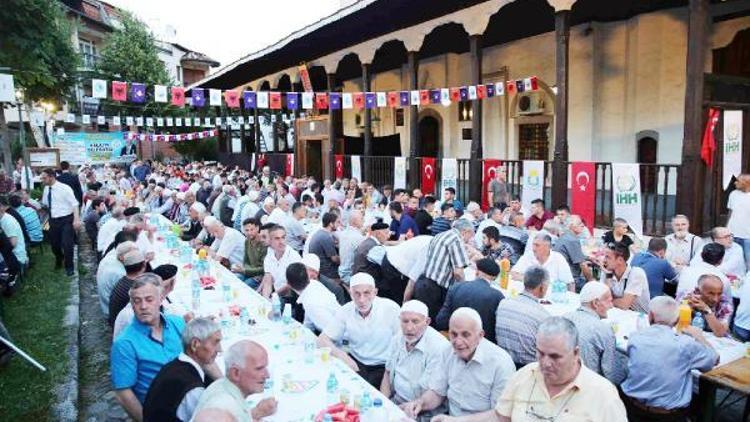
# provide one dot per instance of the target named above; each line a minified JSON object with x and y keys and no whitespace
{"x":692,"y":171}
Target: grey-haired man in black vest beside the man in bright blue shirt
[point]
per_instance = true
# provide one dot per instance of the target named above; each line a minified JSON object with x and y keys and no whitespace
{"x":176,"y":389}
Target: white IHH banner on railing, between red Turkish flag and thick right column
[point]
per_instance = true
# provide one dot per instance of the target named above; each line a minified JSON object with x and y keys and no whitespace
{"x":626,"y":195}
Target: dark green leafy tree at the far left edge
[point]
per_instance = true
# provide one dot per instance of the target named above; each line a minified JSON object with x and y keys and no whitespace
{"x":35,"y":45}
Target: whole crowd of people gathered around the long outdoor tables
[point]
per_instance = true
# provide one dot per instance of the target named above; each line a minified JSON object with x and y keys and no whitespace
{"x":440,"y":346}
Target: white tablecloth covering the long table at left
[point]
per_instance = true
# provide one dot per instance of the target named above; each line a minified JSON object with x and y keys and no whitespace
{"x":284,"y":343}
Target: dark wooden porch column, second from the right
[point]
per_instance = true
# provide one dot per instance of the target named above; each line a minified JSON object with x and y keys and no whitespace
{"x":560,"y":157}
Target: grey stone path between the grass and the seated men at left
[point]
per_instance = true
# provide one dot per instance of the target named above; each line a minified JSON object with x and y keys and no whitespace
{"x":97,"y":399}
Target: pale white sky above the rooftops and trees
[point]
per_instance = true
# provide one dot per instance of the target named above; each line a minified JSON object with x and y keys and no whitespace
{"x":226,"y":30}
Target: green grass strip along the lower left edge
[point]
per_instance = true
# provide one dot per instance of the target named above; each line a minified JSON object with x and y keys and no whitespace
{"x":34,"y":318}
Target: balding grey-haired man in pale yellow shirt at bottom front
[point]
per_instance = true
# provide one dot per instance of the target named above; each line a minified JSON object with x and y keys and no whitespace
{"x":558,"y":384}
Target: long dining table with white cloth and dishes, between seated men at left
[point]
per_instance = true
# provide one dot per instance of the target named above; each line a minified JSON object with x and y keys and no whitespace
{"x":299,"y":369}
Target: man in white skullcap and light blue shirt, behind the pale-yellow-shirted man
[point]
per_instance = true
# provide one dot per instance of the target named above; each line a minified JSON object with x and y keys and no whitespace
{"x":598,"y":345}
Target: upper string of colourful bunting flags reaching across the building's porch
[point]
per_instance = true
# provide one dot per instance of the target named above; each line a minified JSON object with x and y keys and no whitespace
{"x":138,"y":93}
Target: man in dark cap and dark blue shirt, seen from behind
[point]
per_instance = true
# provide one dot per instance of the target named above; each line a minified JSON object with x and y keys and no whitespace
{"x":478,"y":295}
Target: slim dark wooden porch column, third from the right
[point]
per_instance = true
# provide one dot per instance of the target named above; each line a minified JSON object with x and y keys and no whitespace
{"x":475,"y":165}
